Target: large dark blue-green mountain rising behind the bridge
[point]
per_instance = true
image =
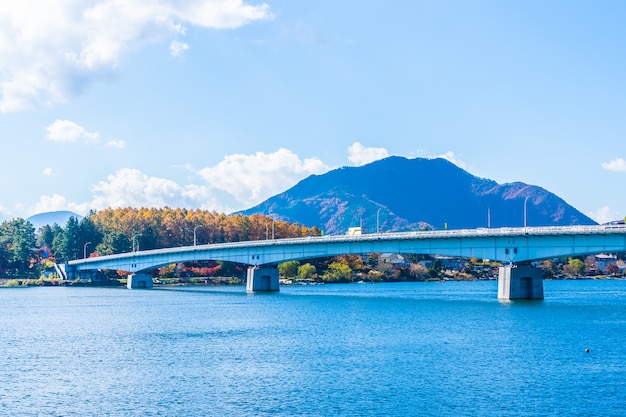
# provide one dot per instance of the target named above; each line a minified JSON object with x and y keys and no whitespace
{"x":400,"y":194}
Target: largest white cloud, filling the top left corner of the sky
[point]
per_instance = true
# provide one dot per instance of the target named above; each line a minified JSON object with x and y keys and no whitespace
{"x":52,"y":49}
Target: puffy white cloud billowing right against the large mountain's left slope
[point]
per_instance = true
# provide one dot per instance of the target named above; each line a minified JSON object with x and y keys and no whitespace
{"x":253,"y":178}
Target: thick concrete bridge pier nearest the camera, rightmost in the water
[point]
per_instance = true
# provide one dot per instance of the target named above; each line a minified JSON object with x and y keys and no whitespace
{"x":520,"y":283}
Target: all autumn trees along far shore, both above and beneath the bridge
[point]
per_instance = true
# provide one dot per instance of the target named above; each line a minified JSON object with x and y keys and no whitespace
{"x":27,"y":253}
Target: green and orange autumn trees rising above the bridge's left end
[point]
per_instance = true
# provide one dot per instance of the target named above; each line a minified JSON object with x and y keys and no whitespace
{"x":25,"y":251}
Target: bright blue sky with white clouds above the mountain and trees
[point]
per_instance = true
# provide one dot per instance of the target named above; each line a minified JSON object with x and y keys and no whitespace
{"x":221,"y":104}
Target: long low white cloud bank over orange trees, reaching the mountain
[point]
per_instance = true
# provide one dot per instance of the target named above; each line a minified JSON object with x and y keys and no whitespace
{"x":237,"y":182}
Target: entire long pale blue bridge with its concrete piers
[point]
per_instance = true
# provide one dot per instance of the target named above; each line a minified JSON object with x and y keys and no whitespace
{"x":514,"y":247}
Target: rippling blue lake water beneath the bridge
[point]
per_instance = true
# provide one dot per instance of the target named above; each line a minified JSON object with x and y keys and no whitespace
{"x":405,"y":349}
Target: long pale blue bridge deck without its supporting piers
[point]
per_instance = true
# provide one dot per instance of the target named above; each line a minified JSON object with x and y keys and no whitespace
{"x":501,"y":244}
